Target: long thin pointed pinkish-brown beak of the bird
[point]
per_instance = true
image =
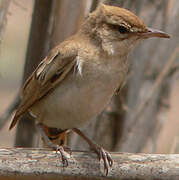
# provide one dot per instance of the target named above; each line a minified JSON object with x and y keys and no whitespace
{"x":154,"y":33}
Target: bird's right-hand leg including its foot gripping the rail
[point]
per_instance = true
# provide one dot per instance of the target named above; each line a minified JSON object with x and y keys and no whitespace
{"x":102,"y":154}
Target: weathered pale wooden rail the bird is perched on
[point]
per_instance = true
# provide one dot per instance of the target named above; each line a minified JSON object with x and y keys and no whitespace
{"x":26,"y":162}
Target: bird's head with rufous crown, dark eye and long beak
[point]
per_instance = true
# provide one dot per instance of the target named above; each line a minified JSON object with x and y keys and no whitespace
{"x":118,"y":29}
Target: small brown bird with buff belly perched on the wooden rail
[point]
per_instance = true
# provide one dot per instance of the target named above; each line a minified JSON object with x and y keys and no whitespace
{"x":77,"y":79}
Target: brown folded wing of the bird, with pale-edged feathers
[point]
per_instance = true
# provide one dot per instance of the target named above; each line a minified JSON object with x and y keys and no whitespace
{"x":50,"y":72}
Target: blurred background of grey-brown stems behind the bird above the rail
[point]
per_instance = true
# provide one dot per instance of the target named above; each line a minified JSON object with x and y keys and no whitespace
{"x":143,"y":118}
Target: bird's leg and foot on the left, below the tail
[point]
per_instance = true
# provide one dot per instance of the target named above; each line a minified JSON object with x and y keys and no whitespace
{"x":52,"y":145}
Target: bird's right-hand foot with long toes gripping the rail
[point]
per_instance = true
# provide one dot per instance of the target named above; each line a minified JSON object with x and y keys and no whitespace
{"x":105,"y":156}
